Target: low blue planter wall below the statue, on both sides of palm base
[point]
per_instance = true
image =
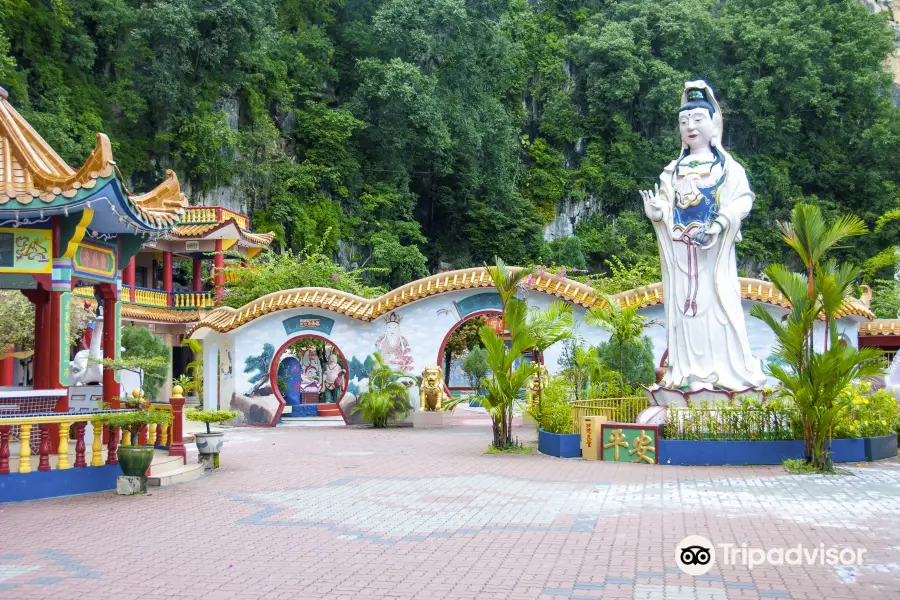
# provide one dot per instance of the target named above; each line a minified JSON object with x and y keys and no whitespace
{"x":721,"y":452}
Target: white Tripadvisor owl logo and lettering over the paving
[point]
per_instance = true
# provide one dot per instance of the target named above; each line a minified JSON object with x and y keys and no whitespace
{"x":696,"y":555}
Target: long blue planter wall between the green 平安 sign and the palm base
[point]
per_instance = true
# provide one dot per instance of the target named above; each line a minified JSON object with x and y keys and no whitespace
{"x":704,"y":452}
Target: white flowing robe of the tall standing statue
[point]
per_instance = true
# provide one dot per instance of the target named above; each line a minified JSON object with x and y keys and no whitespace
{"x":712,"y":344}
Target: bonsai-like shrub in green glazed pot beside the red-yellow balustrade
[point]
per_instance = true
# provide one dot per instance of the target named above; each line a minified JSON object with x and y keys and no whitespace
{"x":134,"y":457}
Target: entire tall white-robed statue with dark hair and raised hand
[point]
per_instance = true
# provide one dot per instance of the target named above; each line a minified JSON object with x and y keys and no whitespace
{"x":696,"y":210}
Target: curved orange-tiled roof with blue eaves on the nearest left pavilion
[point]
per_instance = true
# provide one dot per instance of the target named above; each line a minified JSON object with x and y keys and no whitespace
{"x":35,"y":180}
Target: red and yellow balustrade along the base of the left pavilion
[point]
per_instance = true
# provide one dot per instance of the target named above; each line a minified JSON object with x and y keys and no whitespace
{"x":42,"y":436}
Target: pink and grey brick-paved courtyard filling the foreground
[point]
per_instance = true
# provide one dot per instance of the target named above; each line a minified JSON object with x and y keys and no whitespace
{"x":318,"y":512}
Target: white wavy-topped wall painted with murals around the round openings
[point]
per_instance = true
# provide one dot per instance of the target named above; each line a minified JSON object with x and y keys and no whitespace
{"x":409,"y":338}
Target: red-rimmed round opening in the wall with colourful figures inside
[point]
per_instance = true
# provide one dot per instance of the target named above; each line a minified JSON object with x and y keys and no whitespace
{"x":310,"y":371}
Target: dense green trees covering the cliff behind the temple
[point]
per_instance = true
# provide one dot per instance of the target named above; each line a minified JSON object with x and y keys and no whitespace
{"x":448,"y":131}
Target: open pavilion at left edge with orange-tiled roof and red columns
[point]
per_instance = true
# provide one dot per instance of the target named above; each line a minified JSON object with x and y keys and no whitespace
{"x":63,"y":229}
